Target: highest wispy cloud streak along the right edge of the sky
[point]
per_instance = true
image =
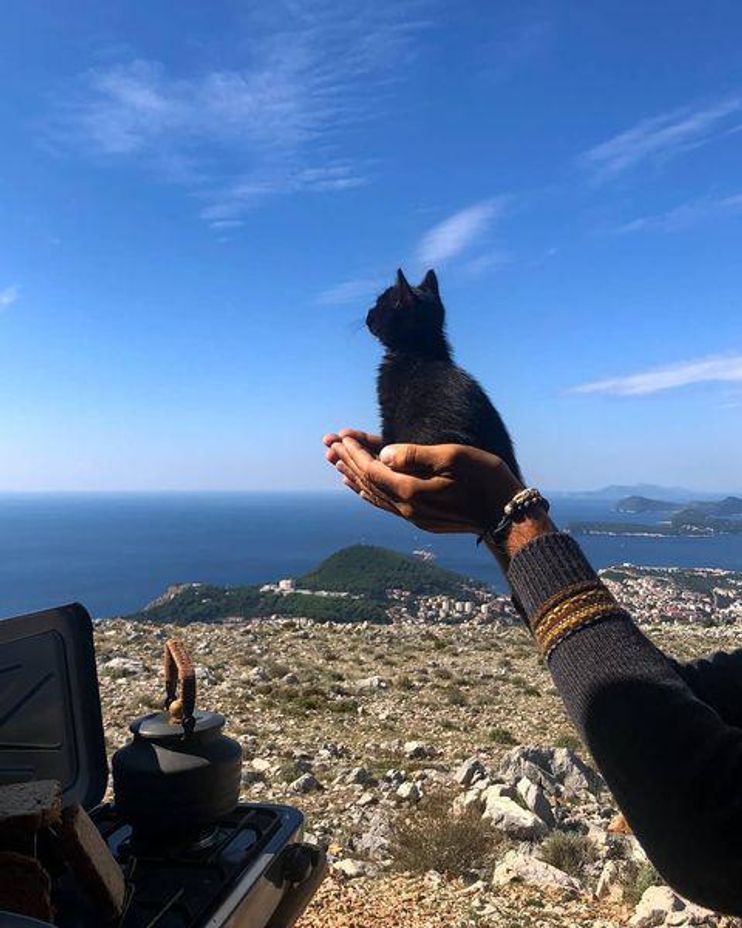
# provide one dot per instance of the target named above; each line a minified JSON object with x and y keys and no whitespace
{"x":664,"y":136}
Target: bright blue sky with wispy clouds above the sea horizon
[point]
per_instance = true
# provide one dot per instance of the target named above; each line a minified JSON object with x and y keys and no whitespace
{"x":200,"y":200}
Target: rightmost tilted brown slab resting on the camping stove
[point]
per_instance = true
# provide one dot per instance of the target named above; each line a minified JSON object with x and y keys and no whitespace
{"x":98,"y":875}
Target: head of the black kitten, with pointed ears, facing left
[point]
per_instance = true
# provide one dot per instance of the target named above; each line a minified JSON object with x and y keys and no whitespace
{"x":409,"y":318}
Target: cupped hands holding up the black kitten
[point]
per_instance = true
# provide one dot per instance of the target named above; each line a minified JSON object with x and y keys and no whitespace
{"x":439,"y":488}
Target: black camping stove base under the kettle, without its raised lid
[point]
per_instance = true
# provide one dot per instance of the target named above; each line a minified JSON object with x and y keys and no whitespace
{"x":248,"y":871}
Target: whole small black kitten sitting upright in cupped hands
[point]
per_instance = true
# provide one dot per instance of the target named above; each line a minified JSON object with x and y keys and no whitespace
{"x":423,"y":396}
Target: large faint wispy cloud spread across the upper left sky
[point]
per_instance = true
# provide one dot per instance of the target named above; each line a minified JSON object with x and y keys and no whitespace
{"x":277,"y":125}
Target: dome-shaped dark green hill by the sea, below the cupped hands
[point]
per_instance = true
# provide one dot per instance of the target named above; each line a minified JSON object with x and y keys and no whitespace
{"x":371,"y":571}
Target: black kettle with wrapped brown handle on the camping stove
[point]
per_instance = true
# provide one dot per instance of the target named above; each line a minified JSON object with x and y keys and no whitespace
{"x":179,"y":773}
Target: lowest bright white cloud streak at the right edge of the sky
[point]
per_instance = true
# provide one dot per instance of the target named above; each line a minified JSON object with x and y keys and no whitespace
{"x":717,"y":368}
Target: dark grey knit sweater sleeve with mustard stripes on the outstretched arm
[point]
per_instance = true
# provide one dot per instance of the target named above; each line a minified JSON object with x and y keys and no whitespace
{"x":672,"y":763}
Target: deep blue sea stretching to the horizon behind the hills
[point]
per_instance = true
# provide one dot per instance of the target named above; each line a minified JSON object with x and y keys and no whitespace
{"x":114,"y":553}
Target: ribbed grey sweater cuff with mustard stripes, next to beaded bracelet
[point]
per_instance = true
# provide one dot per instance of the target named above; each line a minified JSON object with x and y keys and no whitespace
{"x":557,"y":589}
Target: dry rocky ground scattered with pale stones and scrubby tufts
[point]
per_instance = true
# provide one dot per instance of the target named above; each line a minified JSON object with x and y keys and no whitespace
{"x":436,"y":765}
